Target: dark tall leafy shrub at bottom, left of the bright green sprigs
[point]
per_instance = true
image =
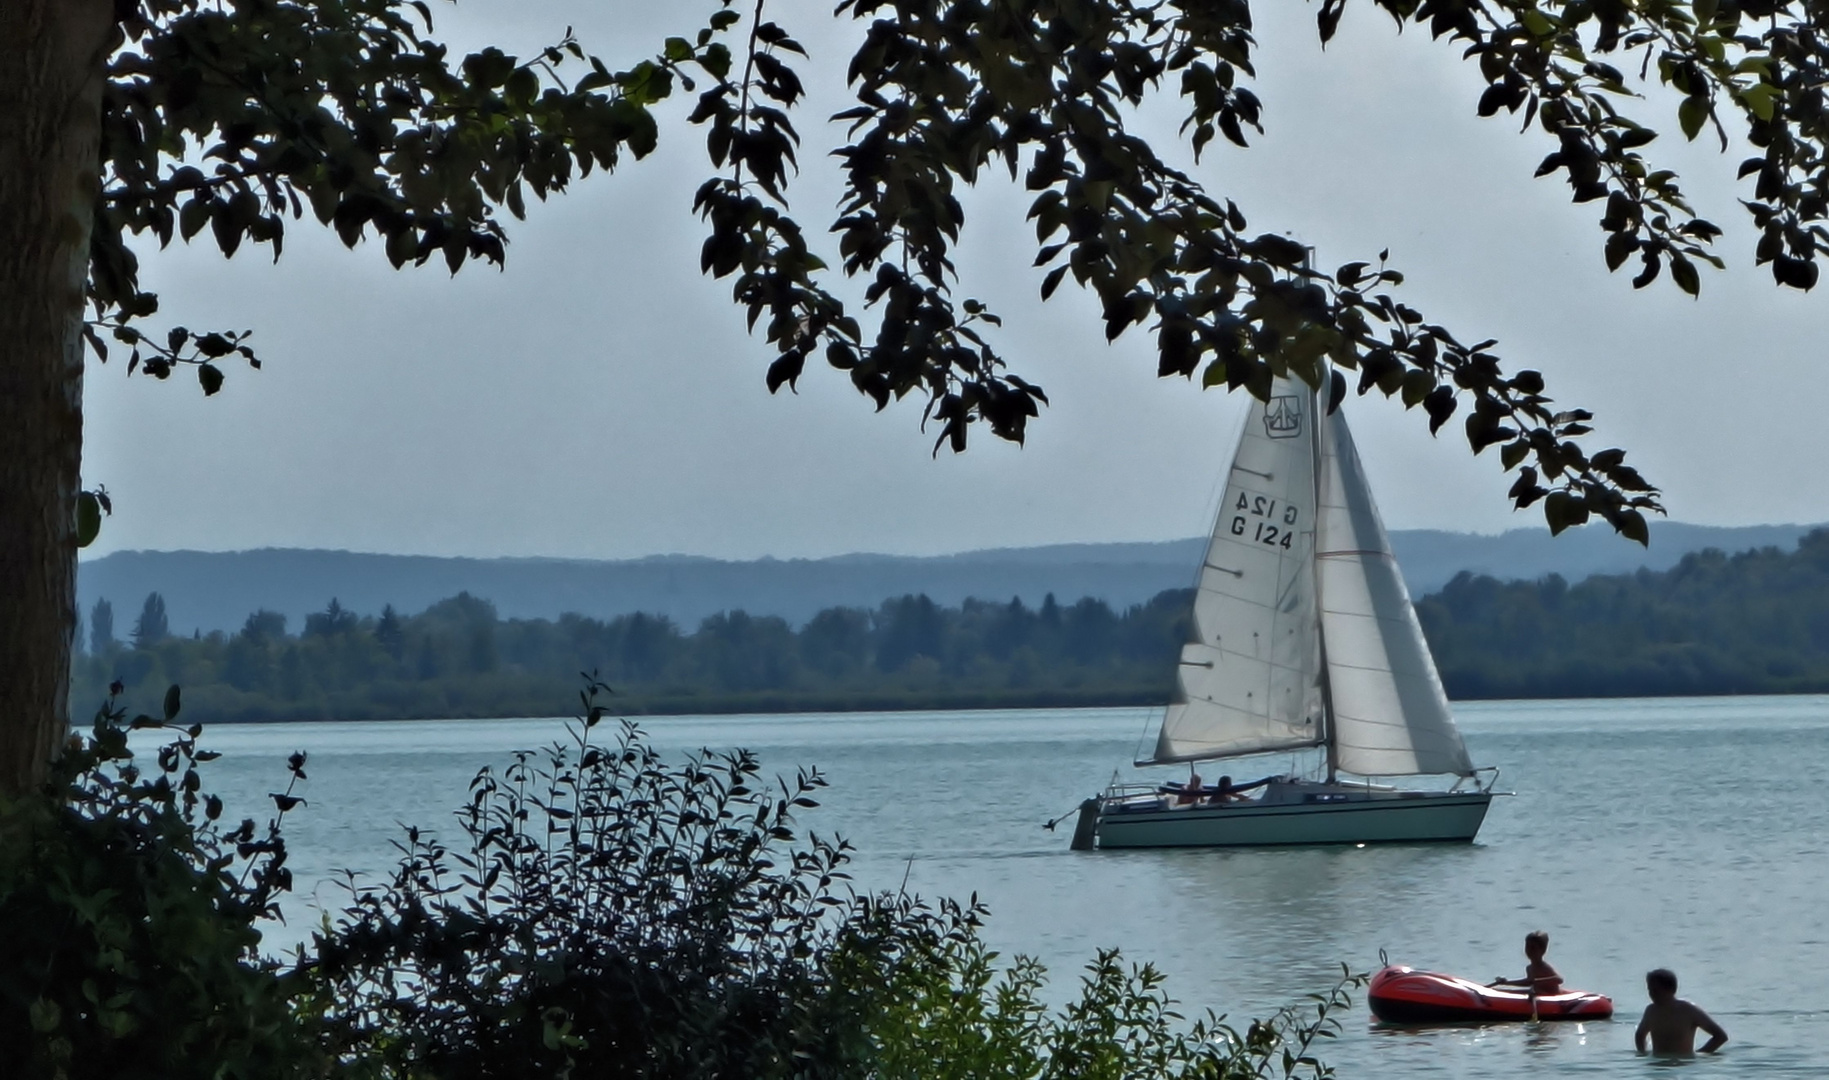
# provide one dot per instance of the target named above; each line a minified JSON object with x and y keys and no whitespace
{"x":610,"y":916}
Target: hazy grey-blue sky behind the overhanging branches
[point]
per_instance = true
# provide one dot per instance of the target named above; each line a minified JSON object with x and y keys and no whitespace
{"x":603,"y":400}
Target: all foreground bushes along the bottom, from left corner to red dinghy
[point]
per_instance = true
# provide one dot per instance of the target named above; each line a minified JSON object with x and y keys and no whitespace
{"x":604,"y":914}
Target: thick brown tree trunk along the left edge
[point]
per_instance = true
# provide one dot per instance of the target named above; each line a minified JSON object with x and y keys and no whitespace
{"x":52,"y":69}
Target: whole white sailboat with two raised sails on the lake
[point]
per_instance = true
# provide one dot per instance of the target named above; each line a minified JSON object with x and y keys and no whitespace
{"x":1305,"y":643}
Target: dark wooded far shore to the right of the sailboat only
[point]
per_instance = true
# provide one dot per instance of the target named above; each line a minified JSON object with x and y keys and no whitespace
{"x":1751,"y":623}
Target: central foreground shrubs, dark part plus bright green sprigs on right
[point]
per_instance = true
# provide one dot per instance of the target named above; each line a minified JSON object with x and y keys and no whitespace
{"x":614,"y":916}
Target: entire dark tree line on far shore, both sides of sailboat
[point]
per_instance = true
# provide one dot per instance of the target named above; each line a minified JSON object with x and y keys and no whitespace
{"x":1753,"y":623}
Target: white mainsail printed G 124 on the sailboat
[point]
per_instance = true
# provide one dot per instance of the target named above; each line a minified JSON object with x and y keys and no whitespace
{"x":1252,"y":680}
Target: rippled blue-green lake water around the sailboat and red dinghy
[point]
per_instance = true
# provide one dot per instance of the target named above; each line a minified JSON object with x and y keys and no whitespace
{"x":1685,"y":834}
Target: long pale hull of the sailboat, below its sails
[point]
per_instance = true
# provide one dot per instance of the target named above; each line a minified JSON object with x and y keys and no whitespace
{"x":1325,"y":817}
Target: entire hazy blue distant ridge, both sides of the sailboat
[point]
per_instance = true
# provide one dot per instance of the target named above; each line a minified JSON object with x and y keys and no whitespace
{"x":219,"y":590}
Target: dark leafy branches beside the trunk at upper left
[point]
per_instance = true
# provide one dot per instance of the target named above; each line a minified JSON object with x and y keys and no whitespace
{"x":242,"y":118}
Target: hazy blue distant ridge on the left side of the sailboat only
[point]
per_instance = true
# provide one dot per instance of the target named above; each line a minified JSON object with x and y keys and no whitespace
{"x":219,"y":590}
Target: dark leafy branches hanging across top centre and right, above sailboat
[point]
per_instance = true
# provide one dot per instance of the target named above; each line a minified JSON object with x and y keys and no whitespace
{"x":952,"y":91}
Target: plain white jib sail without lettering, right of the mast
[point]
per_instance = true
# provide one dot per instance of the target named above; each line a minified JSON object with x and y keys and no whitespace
{"x":1391,"y":717}
